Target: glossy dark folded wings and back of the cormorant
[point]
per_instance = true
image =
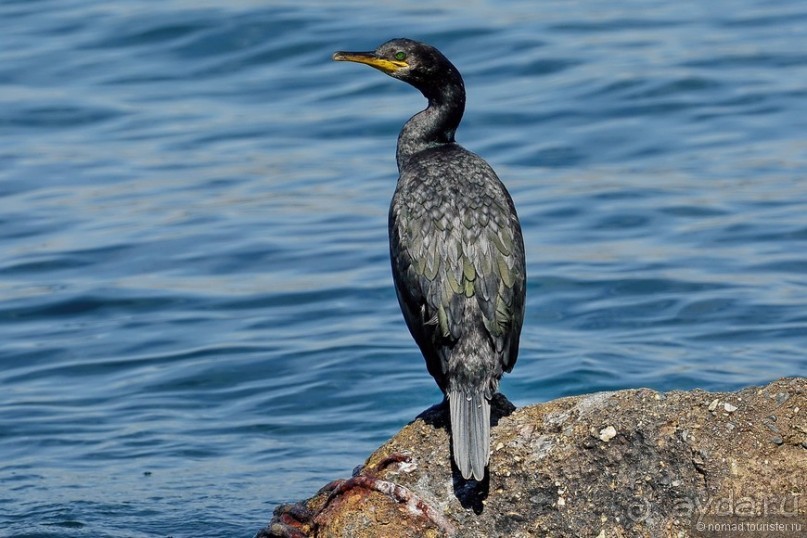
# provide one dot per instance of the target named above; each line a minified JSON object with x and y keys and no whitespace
{"x":448,"y":247}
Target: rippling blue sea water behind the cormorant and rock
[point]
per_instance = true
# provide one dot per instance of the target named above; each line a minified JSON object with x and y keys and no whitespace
{"x":197,"y":319}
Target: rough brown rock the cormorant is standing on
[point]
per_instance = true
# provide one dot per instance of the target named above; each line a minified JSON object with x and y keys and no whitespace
{"x":673,"y":465}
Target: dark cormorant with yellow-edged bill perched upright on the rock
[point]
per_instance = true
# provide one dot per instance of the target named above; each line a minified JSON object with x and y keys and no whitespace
{"x":456,"y":248}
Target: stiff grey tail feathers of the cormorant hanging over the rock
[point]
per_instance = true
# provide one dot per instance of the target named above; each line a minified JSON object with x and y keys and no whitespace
{"x":470,"y":432}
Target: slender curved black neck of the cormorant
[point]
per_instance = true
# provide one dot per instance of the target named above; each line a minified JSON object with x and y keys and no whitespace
{"x":437,"y":123}
